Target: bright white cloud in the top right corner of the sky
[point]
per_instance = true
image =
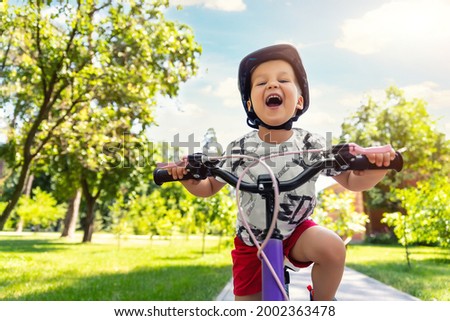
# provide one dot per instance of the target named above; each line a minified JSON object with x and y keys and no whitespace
{"x":404,"y":27}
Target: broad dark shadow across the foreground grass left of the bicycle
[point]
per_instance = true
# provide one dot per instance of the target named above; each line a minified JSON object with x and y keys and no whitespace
{"x":186,"y":283}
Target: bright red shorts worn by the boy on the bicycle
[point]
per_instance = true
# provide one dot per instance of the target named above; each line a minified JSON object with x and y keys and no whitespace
{"x":247,"y":265}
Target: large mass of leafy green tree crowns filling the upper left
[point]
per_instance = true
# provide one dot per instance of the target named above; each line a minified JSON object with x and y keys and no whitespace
{"x":81,"y":81}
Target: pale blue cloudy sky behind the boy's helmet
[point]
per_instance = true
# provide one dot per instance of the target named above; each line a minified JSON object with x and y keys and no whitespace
{"x":351,"y":50}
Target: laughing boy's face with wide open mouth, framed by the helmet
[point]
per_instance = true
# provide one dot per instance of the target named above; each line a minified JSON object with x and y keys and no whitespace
{"x":274,"y":92}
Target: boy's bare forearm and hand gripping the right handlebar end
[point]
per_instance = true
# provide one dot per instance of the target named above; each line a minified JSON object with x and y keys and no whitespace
{"x":363,"y":180}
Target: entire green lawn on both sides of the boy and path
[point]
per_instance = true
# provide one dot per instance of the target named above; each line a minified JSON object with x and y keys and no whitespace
{"x":44,"y":267}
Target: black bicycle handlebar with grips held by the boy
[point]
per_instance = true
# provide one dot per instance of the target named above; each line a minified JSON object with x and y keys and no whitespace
{"x":342,"y":157}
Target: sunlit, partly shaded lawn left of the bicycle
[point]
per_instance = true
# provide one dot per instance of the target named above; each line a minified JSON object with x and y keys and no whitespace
{"x":45,"y":267}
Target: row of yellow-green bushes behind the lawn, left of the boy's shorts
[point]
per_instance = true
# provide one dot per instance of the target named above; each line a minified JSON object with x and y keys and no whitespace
{"x":172,"y":209}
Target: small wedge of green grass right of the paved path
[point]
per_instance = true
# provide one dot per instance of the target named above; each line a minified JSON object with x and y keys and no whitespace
{"x":427,"y":279}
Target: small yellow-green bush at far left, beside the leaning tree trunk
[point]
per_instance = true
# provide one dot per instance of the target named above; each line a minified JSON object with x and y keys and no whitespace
{"x":42,"y":209}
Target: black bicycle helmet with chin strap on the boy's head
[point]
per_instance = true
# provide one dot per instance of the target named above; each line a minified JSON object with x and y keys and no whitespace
{"x":284,"y":52}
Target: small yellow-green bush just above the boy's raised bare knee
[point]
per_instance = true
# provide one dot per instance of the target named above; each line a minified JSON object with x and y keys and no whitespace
{"x":337,"y":212}
